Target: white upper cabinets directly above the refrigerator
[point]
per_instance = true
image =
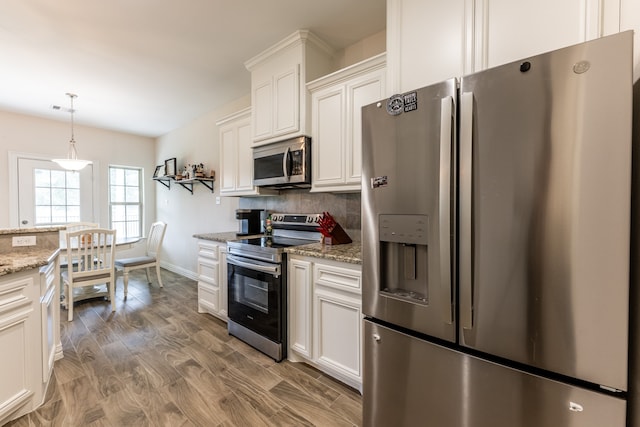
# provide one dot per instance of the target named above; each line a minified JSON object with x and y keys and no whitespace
{"x":429,"y":41}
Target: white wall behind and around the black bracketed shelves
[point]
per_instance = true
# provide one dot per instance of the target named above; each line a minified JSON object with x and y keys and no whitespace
{"x":187,"y":214}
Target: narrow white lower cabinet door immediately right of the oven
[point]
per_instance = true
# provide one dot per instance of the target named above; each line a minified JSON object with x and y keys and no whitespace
{"x":300,"y":308}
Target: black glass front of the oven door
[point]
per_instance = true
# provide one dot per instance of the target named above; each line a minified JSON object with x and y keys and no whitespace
{"x":255,"y":300}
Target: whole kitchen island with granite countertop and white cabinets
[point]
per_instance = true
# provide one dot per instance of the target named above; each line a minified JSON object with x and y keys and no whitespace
{"x":29,"y":317}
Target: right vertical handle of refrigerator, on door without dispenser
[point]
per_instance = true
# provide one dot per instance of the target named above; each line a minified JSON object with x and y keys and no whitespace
{"x":466,"y":200}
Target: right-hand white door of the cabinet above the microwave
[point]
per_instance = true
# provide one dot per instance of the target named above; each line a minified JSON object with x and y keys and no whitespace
{"x":286,"y":101}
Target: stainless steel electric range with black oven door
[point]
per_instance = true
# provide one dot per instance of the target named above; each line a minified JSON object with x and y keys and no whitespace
{"x":257,"y":285}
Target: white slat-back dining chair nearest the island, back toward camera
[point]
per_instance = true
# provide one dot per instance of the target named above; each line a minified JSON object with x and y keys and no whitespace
{"x":85,"y":246}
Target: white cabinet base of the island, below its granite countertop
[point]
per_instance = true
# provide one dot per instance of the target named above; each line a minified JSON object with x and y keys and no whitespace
{"x":29,"y":338}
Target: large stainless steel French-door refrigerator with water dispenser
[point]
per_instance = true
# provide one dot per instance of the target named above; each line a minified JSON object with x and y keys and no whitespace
{"x":495,"y":236}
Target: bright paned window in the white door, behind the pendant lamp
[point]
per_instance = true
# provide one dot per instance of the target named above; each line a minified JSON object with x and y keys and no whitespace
{"x":57,"y":196}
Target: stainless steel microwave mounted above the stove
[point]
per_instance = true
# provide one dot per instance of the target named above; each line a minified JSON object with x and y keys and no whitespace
{"x":283,"y":164}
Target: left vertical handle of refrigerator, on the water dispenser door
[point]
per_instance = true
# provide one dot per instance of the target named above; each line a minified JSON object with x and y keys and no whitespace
{"x":444,"y":214}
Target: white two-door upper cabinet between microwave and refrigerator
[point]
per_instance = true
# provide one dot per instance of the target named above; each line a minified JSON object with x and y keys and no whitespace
{"x":336,"y":104}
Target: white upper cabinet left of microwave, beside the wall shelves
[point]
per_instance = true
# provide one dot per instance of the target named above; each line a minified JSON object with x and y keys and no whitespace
{"x":236,"y":155}
